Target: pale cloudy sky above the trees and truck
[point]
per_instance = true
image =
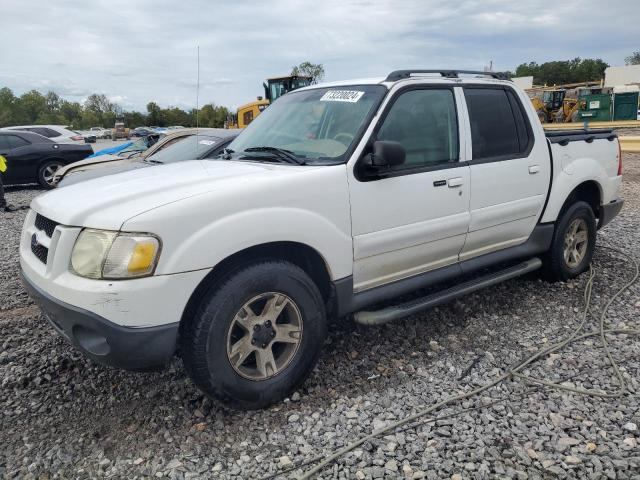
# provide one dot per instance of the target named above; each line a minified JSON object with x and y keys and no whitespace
{"x":135,"y":51}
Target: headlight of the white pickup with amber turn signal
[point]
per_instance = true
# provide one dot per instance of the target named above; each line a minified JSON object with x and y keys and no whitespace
{"x":114,"y":255}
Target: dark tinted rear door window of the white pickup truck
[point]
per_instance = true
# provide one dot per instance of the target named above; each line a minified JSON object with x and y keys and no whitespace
{"x":499,"y":129}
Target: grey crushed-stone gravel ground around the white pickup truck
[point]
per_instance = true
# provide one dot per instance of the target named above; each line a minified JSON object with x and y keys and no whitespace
{"x":61,"y":416}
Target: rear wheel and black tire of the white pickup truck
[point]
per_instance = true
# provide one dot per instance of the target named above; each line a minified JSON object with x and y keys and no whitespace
{"x":557,"y":267}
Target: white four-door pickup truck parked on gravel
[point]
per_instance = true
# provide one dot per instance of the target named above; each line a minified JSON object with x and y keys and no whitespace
{"x":339,"y":196}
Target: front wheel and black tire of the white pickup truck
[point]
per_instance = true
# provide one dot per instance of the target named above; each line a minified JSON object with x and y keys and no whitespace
{"x":206,"y":338}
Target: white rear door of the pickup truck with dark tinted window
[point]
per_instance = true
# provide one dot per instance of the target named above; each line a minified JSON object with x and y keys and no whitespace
{"x":510,"y":170}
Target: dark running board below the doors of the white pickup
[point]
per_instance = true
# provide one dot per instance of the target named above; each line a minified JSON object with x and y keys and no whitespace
{"x":388,"y":314}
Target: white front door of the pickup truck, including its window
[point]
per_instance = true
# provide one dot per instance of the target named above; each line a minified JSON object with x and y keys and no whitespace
{"x":415,"y":218}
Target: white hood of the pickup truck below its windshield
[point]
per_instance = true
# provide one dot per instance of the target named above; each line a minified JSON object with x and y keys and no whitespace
{"x":107,"y":202}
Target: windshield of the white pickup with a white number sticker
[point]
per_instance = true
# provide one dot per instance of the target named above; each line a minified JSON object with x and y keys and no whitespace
{"x":319,"y":124}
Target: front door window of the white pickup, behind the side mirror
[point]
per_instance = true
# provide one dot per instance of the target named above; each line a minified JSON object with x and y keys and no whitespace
{"x":424,"y":122}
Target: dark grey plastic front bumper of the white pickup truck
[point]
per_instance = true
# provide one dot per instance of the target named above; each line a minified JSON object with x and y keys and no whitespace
{"x":129,"y":348}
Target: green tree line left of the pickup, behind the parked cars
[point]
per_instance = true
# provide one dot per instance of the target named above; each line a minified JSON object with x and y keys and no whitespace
{"x":36,"y":108}
